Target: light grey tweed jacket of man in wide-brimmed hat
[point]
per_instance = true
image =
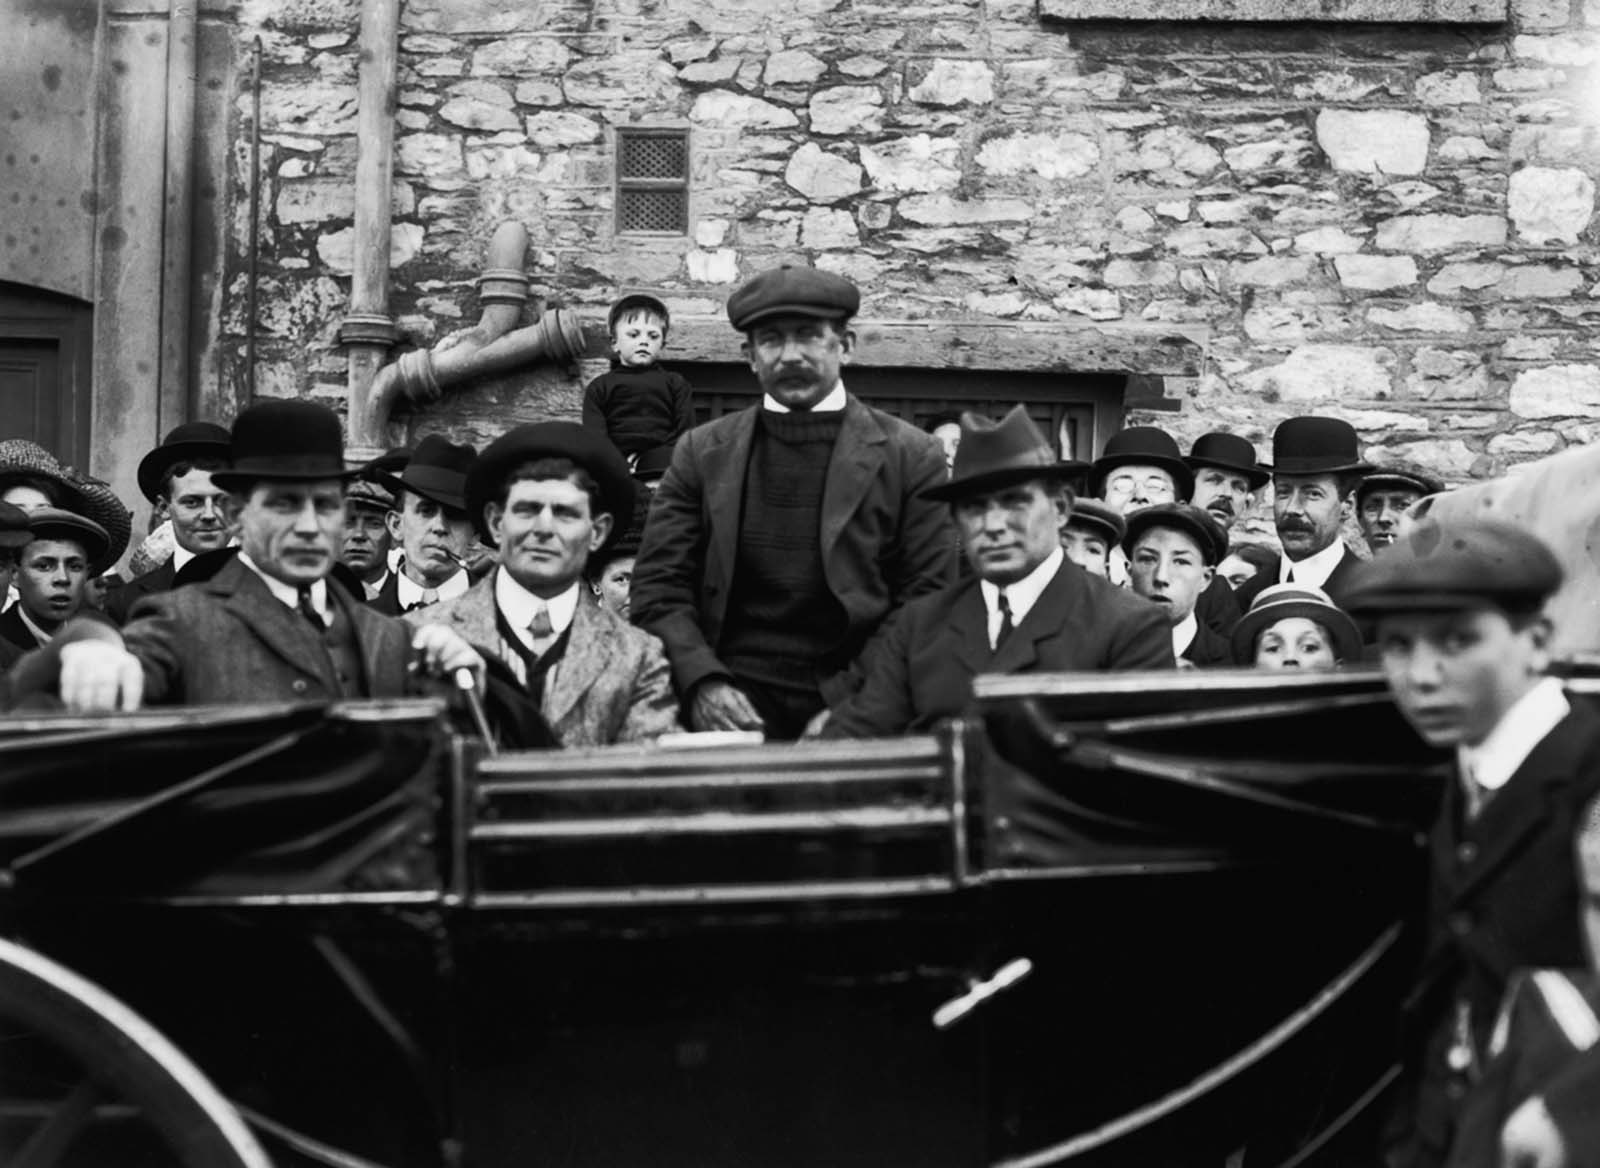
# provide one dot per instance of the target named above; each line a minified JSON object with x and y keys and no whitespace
{"x":612,"y":686}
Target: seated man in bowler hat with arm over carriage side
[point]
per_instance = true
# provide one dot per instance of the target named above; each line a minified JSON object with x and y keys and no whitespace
{"x":271,"y":625}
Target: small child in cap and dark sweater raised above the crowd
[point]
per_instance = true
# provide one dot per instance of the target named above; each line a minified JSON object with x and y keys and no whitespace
{"x":639,"y":406}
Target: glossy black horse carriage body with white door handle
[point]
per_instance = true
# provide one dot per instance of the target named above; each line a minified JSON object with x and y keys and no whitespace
{"x":1158,"y":918}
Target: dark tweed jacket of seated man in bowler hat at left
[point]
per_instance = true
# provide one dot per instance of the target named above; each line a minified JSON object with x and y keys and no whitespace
{"x":231,"y":641}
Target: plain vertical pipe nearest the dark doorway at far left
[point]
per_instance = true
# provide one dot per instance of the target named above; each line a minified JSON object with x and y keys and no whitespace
{"x":177,"y":390}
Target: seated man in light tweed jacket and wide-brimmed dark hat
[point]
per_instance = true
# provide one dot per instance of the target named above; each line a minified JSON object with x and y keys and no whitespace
{"x":548,"y":497}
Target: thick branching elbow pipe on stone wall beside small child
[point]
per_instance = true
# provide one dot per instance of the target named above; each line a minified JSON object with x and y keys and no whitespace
{"x":490,"y":348}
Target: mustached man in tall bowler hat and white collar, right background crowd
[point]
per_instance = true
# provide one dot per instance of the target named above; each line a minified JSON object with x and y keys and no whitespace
{"x":1316,"y":468}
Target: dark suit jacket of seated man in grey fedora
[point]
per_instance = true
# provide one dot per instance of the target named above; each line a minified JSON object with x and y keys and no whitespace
{"x":924,"y":670}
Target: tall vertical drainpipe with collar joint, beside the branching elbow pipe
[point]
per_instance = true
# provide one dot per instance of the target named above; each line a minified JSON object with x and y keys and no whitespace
{"x":369,"y":332}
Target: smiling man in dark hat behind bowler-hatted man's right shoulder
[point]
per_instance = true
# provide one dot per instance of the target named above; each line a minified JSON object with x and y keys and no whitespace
{"x":177,"y":479}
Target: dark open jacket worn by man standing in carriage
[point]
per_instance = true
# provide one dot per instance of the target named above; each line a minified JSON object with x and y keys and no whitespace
{"x":881,"y":542}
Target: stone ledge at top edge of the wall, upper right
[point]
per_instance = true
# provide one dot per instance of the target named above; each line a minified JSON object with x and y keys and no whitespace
{"x":1343,"y":12}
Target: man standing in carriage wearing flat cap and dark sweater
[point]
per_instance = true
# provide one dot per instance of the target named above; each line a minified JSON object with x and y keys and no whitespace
{"x":783,"y":537}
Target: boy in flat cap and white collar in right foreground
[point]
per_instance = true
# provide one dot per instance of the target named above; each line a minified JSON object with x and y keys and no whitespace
{"x":1458,"y":612}
